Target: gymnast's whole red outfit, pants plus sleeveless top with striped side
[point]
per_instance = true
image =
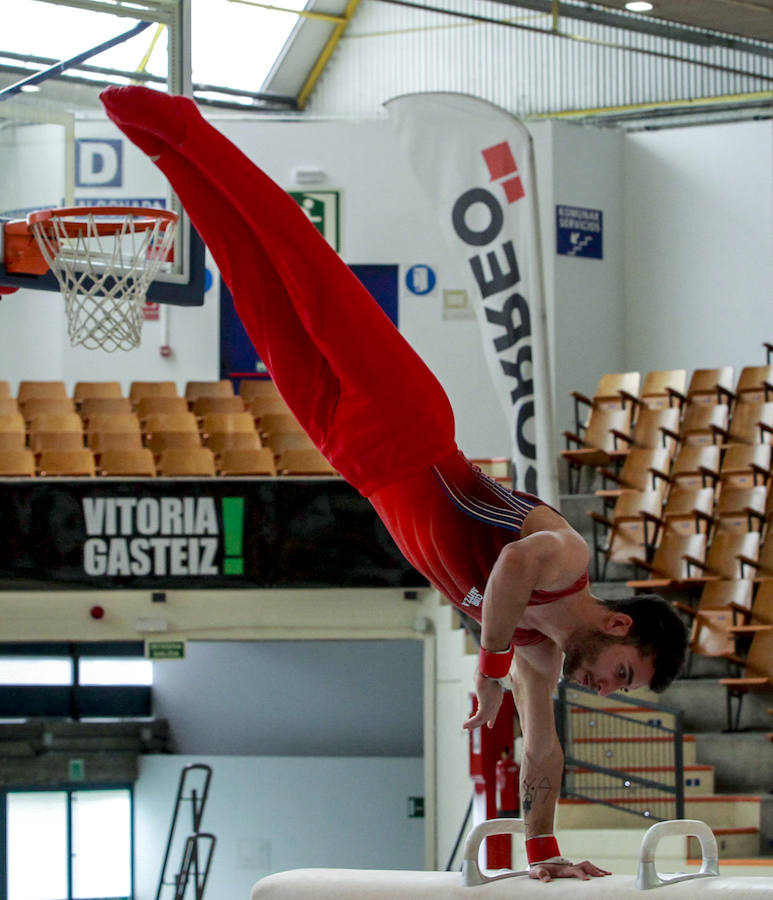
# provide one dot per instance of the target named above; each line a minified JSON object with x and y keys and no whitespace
{"x":361,"y":392}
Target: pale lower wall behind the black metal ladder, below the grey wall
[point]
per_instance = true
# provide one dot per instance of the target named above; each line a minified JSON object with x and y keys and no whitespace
{"x":275,"y":813}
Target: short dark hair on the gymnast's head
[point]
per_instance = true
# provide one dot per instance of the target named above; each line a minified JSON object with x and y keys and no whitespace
{"x":658,"y":632}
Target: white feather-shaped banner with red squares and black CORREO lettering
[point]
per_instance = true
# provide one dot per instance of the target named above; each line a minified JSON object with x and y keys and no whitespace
{"x":476,"y":163}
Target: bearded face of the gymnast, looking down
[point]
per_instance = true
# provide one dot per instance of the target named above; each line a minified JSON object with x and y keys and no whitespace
{"x":604,"y":663}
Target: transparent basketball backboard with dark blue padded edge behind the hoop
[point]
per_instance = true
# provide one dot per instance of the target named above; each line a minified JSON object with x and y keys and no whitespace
{"x":58,"y":148}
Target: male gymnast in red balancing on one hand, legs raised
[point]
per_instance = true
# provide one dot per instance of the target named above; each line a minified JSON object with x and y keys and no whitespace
{"x":381,"y":418}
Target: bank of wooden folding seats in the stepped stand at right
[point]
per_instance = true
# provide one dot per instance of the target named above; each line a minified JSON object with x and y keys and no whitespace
{"x":683,"y":470}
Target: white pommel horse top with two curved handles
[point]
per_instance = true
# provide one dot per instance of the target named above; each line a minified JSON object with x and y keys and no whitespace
{"x":472,"y":884}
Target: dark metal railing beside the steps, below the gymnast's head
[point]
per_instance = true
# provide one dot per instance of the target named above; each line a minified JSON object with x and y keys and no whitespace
{"x":622,"y":753}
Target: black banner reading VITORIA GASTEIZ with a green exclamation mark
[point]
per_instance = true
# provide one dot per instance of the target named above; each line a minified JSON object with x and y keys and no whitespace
{"x":62,"y":535}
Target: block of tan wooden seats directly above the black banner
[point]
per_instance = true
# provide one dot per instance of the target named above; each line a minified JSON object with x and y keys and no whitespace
{"x":211,"y":430}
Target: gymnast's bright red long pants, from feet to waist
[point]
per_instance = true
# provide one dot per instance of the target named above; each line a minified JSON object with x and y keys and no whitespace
{"x":360,"y":391}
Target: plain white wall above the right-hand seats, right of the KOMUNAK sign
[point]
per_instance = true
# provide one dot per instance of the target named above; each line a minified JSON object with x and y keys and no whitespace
{"x":699,"y":246}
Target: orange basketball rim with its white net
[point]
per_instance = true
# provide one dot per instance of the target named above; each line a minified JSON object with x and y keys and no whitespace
{"x":104,"y":258}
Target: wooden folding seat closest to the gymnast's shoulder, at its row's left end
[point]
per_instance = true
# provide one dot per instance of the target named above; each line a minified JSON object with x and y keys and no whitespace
{"x":629,"y":531}
